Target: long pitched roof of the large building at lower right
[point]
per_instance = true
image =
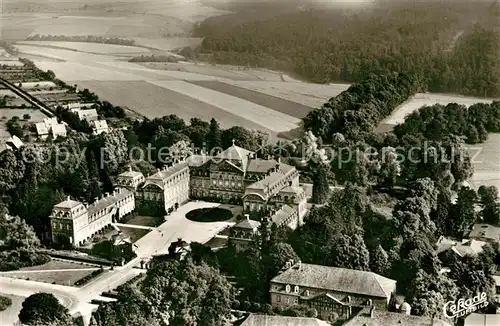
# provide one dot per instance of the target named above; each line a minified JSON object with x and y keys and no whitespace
{"x":338,"y":279}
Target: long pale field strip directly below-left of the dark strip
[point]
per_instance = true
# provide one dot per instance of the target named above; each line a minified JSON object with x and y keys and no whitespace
{"x":263,"y":116}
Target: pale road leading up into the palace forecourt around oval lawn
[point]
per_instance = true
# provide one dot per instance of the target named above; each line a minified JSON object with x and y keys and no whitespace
{"x":155,"y":242}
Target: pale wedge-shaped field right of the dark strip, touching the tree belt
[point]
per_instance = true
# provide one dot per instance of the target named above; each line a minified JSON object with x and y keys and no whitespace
{"x":312,"y":95}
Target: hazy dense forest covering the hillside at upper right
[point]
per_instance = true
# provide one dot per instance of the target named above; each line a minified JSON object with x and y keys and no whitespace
{"x":452,"y":44}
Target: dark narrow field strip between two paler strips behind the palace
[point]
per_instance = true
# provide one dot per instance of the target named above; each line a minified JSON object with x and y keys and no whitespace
{"x":272,"y":102}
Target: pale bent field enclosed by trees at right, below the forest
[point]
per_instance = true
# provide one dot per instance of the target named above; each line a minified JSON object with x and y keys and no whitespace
{"x":422,"y":99}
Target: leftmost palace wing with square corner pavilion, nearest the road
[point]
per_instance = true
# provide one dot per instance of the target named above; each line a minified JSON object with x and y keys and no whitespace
{"x":73,"y":222}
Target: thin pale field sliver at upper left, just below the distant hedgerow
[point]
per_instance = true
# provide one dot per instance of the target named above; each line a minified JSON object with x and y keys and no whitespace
{"x":96,"y":48}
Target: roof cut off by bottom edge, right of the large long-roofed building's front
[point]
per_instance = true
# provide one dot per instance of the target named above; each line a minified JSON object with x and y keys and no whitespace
{"x":385,"y":318}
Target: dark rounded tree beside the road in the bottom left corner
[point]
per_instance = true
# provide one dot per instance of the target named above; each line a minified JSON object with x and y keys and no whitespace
{"x":44,"y":309}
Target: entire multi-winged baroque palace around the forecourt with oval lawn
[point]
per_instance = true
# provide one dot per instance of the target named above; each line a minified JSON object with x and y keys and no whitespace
{"x":266,"y":187}
